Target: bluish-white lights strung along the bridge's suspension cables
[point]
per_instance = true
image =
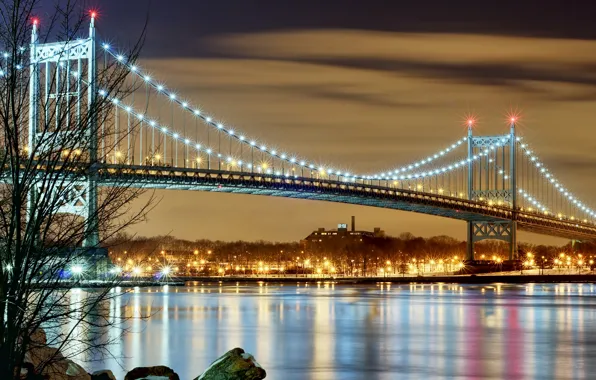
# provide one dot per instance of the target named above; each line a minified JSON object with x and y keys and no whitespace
{"x":405,"y":175}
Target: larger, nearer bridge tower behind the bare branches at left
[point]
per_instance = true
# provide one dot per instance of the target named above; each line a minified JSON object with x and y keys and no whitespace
{"x":62,"y":90}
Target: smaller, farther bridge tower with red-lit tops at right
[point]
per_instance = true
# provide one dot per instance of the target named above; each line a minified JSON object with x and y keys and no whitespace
{"x":487,"y":189}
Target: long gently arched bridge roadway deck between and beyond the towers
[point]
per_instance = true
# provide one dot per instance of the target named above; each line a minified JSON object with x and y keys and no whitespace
{"x":337,"y":191}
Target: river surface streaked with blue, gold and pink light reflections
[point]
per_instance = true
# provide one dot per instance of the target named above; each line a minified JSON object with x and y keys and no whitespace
{"x":369,"y":332}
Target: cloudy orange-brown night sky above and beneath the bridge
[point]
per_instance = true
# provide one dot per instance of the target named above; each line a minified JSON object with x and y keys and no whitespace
{"x":367,"y":85}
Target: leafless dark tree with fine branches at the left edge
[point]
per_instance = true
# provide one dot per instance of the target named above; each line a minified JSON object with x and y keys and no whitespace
{"x":53,"y":217}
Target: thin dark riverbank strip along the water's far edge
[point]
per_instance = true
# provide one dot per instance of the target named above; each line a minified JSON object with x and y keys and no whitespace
{"x":470,"y":279}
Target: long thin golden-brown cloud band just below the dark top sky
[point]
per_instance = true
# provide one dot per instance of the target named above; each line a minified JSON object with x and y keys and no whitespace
{"x":450,"y":48}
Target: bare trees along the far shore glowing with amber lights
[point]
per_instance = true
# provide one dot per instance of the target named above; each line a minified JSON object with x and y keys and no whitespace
{"x":396,"y":254}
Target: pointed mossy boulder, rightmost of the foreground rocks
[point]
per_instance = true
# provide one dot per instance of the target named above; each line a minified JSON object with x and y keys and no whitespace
{"x":234,"y":365}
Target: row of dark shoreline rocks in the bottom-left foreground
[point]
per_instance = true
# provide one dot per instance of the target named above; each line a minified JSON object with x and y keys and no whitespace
{"x":235,"y":364}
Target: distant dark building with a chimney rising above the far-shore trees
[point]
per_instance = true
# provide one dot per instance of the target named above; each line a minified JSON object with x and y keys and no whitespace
{"x":340,"y":237}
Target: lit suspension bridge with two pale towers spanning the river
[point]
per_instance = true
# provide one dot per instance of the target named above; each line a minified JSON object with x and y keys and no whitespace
{"x":152,"y":137}
